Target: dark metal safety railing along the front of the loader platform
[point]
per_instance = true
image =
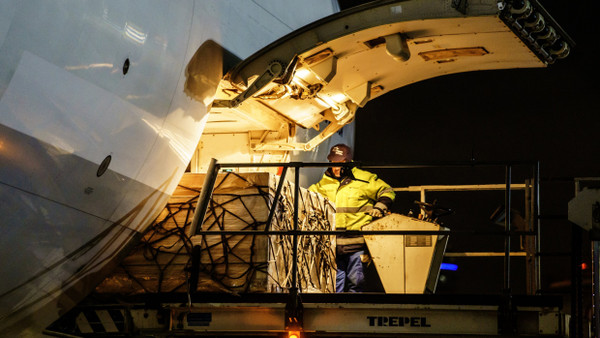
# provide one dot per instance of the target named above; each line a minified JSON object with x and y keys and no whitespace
{"x":295,"y":232}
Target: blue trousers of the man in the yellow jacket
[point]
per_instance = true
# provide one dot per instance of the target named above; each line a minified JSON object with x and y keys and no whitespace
{"x":350,"y":272}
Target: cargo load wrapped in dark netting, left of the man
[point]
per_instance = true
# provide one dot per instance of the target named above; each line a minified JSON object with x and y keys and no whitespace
{"x":232,"y":263}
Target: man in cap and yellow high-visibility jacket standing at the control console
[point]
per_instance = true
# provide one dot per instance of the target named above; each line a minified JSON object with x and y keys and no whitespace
{"x":359,"y":196}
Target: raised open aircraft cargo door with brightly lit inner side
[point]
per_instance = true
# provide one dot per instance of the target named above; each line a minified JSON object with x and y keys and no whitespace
{"x":316,"y":77}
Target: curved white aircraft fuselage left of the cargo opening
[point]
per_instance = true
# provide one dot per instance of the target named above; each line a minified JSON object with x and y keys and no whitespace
{"x":96,"y":130}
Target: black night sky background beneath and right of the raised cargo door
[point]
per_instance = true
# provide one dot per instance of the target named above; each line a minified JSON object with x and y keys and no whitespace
{"x":548,"y":115}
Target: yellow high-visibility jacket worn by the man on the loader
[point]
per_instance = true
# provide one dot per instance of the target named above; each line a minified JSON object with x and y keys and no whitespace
{"x":353,"y":196}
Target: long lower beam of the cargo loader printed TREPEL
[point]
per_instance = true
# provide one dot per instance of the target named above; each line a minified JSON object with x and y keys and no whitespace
{"x":321,"y":315}
